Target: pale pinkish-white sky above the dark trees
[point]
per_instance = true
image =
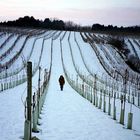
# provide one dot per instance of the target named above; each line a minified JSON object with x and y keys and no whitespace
{"x":84,"y":12}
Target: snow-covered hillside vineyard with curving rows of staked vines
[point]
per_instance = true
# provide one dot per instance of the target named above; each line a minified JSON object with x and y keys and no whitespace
{"x":101,"y":96}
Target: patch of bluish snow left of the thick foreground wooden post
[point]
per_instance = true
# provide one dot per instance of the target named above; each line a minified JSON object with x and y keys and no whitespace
{"x":12,"y":113}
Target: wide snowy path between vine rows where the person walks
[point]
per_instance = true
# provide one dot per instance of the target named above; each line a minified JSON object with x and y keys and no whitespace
{"x":68,"y":116}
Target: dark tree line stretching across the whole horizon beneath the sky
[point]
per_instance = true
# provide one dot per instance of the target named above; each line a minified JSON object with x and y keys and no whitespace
{"x":57,"y":24}
